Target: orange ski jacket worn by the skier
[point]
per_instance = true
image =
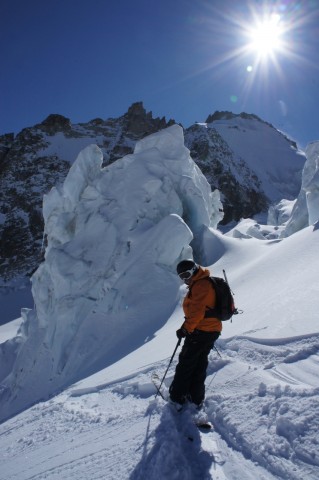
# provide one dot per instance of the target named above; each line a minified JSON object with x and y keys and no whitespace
{"x":200,"y":296}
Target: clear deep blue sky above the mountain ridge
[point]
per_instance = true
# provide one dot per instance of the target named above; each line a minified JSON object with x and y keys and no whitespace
{"x":184,"y":59}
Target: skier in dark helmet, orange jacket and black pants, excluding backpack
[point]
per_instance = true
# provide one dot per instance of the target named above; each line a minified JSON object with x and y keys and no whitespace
{"x":200,"y":334}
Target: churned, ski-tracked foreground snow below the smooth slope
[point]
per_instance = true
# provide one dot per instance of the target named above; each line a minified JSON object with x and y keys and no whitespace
{"x":263,"y":409}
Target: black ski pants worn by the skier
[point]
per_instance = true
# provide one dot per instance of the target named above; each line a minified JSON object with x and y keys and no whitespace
{"x":190,"y":373}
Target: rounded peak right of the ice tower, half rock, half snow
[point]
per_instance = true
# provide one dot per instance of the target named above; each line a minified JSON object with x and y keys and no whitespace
{"x":248,"y":160}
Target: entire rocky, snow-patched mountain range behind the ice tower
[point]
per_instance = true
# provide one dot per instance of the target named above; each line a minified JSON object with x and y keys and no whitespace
{"x":249,"y":161}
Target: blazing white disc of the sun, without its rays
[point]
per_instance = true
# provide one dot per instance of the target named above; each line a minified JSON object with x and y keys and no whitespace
{"x":265,"y":38}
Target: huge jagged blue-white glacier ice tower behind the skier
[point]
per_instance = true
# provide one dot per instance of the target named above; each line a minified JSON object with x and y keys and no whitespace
{"x":114,"y":236}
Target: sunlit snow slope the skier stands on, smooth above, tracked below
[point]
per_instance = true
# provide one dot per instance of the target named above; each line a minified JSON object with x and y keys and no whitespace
{"x":262,"y":390}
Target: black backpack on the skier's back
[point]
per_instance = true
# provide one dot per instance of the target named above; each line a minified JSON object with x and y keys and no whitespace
{"x":225,"y":305}
